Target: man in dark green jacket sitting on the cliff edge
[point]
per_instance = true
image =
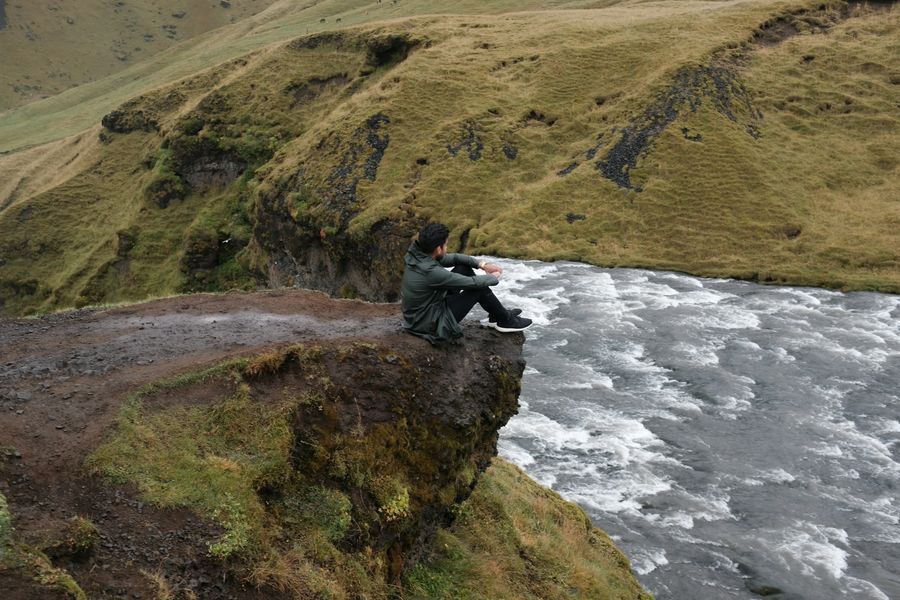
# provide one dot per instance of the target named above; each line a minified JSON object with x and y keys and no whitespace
{"x":435,"y":300}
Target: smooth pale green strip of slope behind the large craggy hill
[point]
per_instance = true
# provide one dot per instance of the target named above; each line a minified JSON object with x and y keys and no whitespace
{"x":77,"y":109}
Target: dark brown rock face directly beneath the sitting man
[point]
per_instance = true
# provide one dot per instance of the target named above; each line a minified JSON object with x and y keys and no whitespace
{"x":415,"y":426}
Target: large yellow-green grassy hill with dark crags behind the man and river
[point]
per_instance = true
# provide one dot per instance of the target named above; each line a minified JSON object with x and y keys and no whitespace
{"x":749,"y":139}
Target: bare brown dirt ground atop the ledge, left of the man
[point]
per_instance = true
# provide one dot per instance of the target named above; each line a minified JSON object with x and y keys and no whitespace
{"x":62,"y":380}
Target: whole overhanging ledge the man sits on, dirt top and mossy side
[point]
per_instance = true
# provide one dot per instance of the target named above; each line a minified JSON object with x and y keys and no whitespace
{"x":355,"y":431}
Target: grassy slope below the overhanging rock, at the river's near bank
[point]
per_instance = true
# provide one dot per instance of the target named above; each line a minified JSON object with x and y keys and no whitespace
{"x":516,"y":540}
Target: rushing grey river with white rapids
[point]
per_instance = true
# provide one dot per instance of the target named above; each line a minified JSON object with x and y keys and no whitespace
{"x":734,"y":439}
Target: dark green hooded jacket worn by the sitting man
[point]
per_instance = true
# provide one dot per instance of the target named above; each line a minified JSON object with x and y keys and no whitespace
{"x":424,"y":289}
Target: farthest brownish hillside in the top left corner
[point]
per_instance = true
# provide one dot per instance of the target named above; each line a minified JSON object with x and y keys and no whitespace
{"x":49,"y":47}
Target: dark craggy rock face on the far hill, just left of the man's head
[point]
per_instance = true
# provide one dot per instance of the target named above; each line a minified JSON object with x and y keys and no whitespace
{"x":302,"y":226}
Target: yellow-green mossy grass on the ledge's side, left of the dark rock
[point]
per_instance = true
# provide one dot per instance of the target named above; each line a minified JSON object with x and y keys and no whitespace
{"x":232,"y":462}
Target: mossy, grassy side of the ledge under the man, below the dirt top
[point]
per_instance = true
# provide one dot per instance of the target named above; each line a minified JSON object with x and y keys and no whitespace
{"x":326,"y":466}
